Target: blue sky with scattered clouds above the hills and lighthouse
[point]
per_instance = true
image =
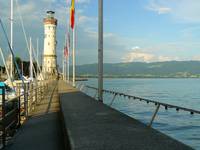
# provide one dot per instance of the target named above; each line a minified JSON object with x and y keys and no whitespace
{"x":134,"y":30}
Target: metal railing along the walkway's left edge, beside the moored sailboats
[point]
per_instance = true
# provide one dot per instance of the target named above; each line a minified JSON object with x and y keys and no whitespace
{"x":16,"y":111}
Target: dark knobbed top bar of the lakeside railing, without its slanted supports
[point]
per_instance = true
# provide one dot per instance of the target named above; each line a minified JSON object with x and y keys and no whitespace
{"x":192,"y":111}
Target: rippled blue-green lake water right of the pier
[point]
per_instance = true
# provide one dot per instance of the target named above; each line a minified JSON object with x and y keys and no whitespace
{"x":181,"y":92}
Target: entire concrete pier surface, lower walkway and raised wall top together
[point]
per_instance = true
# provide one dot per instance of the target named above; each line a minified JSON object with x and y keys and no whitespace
{"x":79,"y":122}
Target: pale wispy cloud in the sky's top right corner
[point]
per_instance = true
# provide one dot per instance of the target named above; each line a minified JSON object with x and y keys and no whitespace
{"x":183,"y":11}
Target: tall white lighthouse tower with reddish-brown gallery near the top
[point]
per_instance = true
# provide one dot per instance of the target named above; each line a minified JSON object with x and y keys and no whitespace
{"x":49,"y":68}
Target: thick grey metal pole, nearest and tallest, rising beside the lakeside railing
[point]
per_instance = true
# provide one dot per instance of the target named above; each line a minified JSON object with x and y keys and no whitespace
{"x":100,"y":52}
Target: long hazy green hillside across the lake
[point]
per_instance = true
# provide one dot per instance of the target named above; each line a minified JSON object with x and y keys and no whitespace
{"x":169,"y":69}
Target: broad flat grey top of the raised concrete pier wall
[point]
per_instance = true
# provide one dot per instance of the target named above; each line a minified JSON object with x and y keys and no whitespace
{"x":91,"y":125}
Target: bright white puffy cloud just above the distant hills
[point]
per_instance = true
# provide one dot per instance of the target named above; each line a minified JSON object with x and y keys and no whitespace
{"x":137,"y":54}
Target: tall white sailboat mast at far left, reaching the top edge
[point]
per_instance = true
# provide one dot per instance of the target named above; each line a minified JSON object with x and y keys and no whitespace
{"x":11,"y":38}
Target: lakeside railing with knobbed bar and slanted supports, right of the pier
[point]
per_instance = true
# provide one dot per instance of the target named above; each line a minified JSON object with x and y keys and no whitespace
{"x":84,"y":88}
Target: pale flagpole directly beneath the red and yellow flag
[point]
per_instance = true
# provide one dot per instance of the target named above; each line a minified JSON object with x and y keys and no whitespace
{"x":73,"y":58}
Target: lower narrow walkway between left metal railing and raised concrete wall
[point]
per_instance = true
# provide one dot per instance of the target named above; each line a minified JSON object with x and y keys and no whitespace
{"x":43,"y":131}
